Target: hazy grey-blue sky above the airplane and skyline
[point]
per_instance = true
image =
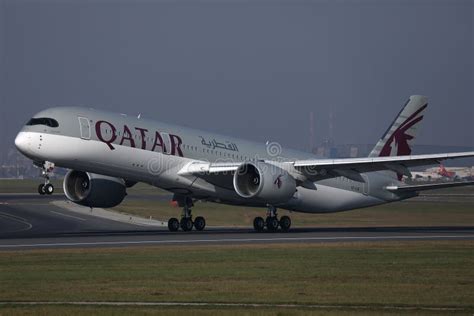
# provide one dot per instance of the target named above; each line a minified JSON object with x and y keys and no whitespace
{"x":252,"y":69}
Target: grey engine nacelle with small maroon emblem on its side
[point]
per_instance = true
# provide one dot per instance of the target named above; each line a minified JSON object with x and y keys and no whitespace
{"x":265,"y":182}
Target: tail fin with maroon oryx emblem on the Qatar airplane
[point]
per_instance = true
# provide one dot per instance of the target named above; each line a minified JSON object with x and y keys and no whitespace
{"x":397,"y":139}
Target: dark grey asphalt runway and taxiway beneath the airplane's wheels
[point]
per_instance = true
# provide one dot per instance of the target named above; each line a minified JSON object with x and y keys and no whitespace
{"x":29,"y":221}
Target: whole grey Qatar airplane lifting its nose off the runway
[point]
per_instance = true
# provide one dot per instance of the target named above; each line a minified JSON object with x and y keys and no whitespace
{"x":109,"y":152}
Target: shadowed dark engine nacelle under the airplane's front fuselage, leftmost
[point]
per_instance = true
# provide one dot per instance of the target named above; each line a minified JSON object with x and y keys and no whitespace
{"x":93,"y":190}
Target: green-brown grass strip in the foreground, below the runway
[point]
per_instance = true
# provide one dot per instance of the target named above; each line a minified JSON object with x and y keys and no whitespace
{"x":416,"y":274}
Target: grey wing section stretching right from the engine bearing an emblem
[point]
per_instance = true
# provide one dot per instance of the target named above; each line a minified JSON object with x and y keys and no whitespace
{"x":352,"y":167}
